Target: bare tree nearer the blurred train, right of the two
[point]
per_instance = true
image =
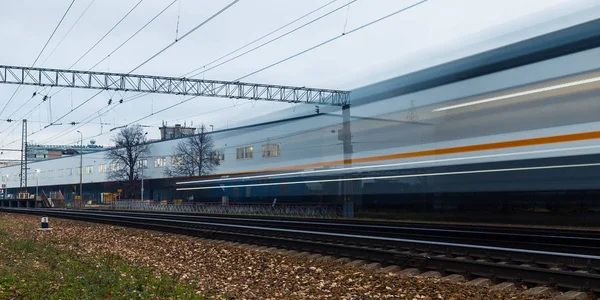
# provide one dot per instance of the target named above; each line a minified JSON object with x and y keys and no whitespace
{"x":194,"y":156}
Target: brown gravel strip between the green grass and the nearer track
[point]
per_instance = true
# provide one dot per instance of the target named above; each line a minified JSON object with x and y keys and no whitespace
{"x":238,"y":272}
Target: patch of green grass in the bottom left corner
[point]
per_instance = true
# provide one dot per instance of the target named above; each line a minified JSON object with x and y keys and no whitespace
{"x":30,"y":270}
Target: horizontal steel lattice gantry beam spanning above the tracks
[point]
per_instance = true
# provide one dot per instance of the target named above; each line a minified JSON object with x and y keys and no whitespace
{"x":170,"y":85}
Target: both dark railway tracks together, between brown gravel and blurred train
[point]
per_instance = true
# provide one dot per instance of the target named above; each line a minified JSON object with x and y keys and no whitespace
{"x":533,"y":257}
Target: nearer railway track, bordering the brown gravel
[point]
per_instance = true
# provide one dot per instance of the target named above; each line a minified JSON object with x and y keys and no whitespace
{"x":527,"y":266}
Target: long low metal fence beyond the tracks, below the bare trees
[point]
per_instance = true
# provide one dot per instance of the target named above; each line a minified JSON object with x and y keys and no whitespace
{"x":260,"y":209}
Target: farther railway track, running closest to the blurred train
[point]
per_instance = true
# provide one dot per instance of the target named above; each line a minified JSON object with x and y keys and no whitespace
{"x":548,"y":240}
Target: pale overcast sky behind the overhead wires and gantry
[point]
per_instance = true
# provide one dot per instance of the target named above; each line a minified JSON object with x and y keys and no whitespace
{"x":375,"y":53}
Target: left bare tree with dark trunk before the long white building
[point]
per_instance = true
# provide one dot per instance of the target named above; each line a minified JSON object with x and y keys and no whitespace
{"x":130,"y":146}
